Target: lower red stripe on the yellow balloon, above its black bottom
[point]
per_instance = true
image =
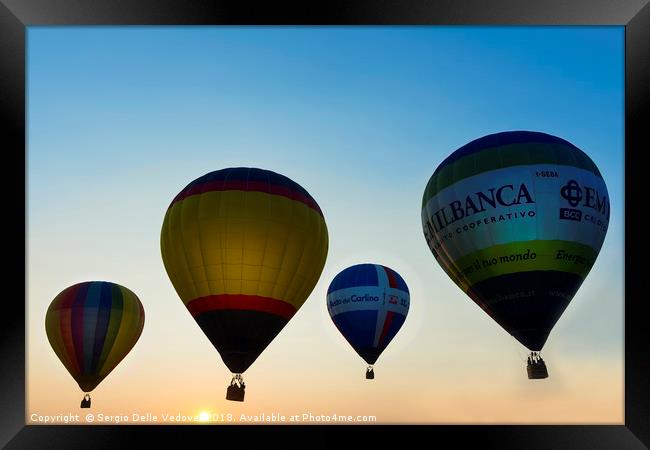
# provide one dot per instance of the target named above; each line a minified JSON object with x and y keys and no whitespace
{"x":241,"y":302}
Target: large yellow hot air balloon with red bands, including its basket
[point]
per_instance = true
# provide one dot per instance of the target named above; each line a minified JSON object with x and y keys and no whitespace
{"x":244,"y":248}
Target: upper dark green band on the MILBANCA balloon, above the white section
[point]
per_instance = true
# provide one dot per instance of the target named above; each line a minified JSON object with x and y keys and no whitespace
{"x":506,"y":156}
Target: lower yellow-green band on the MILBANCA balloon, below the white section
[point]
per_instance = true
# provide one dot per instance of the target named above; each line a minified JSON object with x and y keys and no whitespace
{"x":565,"y":256}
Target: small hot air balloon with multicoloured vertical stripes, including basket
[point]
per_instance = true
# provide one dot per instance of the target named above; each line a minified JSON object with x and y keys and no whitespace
{"x":92,"y":326}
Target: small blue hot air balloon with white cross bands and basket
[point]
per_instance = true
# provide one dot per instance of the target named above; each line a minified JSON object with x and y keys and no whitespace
{"x":368,"y":303}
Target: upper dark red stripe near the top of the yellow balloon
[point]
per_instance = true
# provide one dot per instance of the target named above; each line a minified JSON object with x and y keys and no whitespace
{"x":244,"y":185}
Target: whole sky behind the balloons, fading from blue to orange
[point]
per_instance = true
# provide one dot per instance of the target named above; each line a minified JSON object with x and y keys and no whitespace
{"x":121,"y":119}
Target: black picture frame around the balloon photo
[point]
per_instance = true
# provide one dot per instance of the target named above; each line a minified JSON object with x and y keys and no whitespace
{"x":16,"y":15}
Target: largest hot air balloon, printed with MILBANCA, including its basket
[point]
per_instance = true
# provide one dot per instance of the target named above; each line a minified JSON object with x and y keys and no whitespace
{"x":517,"y":219}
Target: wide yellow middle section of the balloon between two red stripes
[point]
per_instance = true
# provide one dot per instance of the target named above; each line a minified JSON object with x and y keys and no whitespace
{"x":251,"y":243}
